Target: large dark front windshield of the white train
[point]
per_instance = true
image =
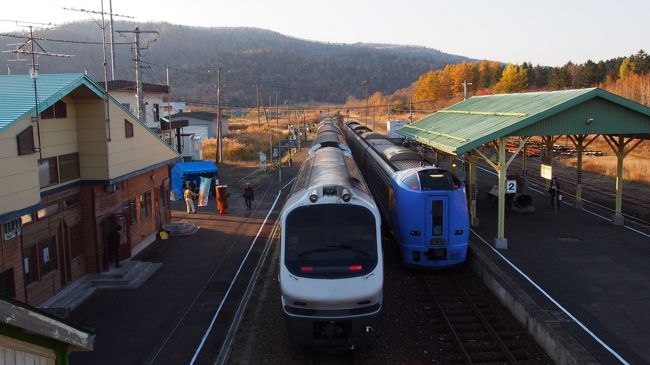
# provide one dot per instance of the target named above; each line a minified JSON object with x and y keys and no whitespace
{"x":330,"y":241}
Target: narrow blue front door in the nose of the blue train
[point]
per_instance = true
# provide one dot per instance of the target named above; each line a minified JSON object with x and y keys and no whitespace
{"x":438,"y":227}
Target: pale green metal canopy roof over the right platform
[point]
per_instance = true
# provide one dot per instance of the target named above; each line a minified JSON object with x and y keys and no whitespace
{"x":481,"y":119}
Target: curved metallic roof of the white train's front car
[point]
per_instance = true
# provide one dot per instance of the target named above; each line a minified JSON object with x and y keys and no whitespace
{"x":329,"y":166}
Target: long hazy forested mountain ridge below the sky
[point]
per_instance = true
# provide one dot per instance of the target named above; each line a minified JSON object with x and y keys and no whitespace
{"x":300,"y":70}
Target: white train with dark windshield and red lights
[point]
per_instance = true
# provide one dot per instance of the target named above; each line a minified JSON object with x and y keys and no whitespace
{"x":331,"y":264}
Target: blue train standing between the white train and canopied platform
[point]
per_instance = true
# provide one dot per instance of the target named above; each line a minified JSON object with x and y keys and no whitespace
{"x":424,"y":206}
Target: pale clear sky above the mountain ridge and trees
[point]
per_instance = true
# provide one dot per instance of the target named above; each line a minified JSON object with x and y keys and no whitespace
{"x":547,"y":32}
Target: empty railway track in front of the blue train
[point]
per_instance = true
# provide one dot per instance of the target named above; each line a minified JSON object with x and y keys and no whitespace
{"x":480,"y":334}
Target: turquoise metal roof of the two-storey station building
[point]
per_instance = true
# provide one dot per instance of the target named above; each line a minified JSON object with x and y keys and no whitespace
{"x":17,"y":93}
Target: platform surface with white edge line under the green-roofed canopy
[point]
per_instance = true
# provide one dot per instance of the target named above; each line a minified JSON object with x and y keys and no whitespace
{"x":598,"y":272}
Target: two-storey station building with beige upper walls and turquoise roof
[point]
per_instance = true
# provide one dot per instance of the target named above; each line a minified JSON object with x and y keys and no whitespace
{"x":68,"y":177}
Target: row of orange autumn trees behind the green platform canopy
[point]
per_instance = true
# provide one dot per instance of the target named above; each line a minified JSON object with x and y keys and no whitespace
{"x":435,"y":89}
